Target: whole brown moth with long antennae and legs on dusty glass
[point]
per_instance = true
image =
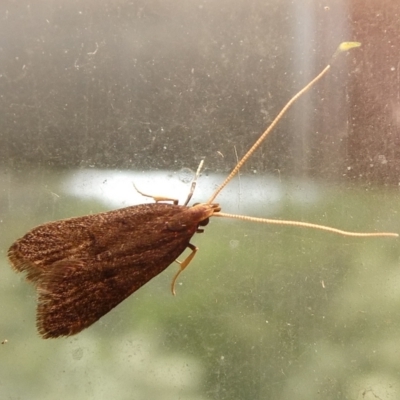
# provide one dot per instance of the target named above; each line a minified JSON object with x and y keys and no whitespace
{"x":83,"y":267}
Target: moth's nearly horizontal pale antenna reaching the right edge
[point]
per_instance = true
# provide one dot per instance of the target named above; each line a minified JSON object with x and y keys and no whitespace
{"x":305,"y":225}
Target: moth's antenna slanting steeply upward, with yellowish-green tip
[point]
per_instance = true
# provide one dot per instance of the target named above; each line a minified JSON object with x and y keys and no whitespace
{"x":345,"y":46}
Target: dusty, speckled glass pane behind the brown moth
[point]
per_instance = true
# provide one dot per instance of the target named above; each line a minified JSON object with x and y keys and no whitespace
{"x":97,"y":95}
